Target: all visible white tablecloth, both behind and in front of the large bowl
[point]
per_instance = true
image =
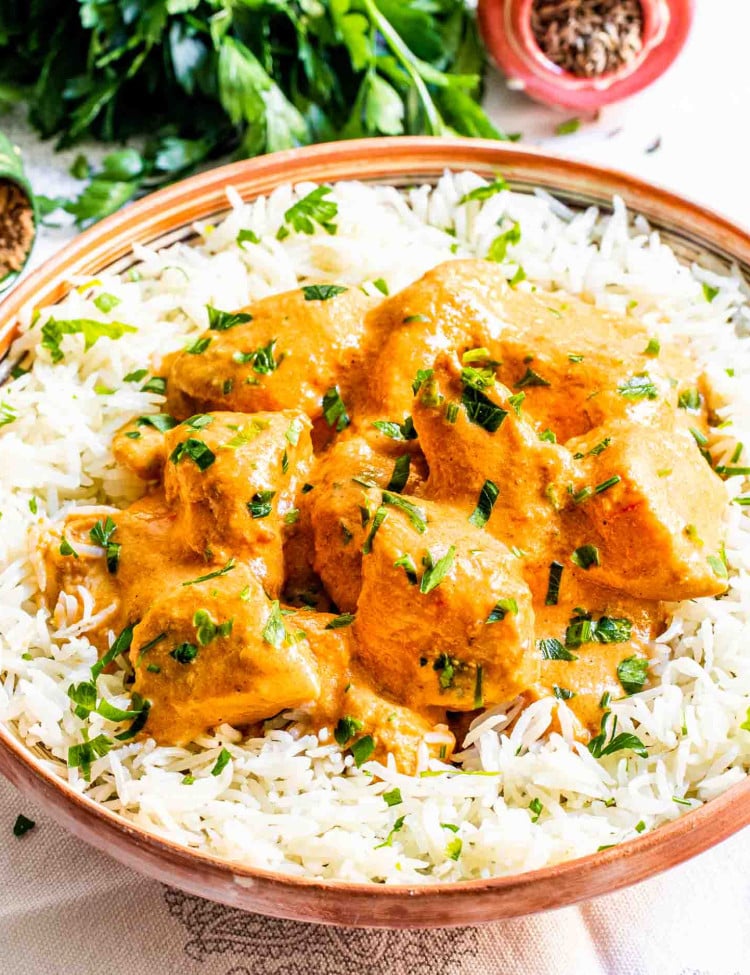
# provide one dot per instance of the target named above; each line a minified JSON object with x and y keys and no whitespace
{"x":67,"y":910}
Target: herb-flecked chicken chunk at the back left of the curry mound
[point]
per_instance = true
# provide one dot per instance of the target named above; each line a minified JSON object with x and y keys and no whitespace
{"x":286,"y":351}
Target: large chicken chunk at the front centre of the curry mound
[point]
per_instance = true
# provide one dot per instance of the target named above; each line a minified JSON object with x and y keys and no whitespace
{"x":444,"y":617}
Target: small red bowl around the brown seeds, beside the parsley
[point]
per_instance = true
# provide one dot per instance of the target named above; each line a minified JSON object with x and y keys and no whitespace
{"x":508,"y":33}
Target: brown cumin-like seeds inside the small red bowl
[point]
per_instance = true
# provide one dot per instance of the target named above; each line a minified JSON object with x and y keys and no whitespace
{"x":588,"y":37}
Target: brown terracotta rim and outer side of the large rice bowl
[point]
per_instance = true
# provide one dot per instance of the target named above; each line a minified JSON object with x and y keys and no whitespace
{"x":164,"y":217}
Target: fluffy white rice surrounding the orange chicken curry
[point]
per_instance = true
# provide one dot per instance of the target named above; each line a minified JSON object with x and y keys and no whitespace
{"x":298,"y":805}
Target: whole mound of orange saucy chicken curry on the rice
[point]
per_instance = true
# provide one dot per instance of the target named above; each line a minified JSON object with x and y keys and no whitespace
{"x":382,"y":516}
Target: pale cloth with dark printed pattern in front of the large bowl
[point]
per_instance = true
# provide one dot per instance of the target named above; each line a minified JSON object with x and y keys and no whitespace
{"x":67,"y":910}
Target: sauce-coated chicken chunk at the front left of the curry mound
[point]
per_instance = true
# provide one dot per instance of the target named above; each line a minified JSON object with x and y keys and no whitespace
{"x":219,"y":652}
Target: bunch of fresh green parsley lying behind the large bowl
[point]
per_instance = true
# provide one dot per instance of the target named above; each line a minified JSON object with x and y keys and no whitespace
{"x":200,"y":78}
